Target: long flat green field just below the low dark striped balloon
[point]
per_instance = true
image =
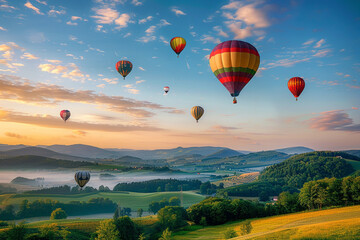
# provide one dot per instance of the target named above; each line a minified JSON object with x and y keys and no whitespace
{"x":125,"y":199}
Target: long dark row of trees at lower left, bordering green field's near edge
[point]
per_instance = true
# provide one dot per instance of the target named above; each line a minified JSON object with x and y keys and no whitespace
{"x":40,"y":208}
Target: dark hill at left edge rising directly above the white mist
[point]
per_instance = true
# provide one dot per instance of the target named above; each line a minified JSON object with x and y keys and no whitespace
{"x":38,"y":162}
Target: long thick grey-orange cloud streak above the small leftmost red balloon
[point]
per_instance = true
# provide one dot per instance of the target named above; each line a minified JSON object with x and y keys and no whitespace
{"x":17,"y":89}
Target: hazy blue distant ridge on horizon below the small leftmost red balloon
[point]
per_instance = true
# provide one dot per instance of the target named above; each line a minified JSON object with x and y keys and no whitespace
{"x":84,"y":151}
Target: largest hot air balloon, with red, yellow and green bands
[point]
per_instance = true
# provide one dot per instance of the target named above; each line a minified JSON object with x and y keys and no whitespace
{"x":234,"y":63}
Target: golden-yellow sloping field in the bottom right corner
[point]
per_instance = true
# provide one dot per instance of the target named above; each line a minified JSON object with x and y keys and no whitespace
{"x":339,"y":223}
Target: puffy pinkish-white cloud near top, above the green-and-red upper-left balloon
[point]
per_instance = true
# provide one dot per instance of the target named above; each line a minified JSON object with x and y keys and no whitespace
{"x":111,"y":16}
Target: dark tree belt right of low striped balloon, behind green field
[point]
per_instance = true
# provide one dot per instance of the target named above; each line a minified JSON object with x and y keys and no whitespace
{"x":159,"y":185}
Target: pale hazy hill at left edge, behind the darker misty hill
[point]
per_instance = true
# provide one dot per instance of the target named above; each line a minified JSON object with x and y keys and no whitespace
{"x":37,"y":151}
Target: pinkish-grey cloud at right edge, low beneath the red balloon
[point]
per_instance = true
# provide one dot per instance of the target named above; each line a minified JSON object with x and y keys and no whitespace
{"x":336,"y":120}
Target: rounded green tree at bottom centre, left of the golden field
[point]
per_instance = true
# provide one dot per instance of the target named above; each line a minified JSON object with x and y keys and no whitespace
{"x":172,"y":217}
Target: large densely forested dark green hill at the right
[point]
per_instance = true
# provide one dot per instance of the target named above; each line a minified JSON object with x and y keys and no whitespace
{"x":297,"y":170}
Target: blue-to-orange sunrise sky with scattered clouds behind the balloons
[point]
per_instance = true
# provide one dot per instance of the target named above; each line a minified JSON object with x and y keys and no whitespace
{"x":61,"y":54}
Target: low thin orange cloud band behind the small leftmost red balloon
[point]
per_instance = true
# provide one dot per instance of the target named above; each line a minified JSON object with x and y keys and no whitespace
{"x":55,"y":122}
